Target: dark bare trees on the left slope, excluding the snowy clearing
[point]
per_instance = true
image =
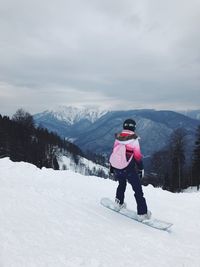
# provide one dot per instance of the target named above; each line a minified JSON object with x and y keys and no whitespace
{"x":21,"y":140}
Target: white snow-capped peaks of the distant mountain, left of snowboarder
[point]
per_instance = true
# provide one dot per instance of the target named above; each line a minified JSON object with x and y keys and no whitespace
{"x":72,"y":115}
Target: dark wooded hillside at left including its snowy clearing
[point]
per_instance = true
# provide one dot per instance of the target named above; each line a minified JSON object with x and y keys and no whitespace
{"x":20,"y":140}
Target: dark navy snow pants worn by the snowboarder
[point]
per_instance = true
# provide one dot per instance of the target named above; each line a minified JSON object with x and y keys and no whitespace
{"x":129,"y":174}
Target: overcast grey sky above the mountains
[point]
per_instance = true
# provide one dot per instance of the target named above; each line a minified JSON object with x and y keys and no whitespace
{"x":118,"y":54}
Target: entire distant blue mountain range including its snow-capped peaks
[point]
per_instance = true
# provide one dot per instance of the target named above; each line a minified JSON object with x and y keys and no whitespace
{"x":154,"y":127}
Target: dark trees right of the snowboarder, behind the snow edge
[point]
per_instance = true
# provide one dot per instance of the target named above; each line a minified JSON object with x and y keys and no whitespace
{"x":174,"y":168}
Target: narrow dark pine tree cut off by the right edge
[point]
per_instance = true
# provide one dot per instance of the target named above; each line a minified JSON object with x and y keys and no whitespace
{"x":196,"y":161}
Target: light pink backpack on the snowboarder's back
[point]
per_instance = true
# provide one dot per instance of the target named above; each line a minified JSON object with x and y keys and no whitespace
{"x":118,"y":158}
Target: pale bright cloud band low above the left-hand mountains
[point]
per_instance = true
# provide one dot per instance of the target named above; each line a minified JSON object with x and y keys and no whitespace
{"x":37,"y":100}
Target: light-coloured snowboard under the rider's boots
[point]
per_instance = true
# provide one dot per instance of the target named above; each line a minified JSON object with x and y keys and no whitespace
{"x":152,"y":222}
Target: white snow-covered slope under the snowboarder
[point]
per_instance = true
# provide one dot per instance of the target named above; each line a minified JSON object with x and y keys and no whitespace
{"x":54,"y":219}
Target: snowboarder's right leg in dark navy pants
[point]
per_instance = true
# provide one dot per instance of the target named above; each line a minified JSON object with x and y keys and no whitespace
{"x":134,"y":180}
